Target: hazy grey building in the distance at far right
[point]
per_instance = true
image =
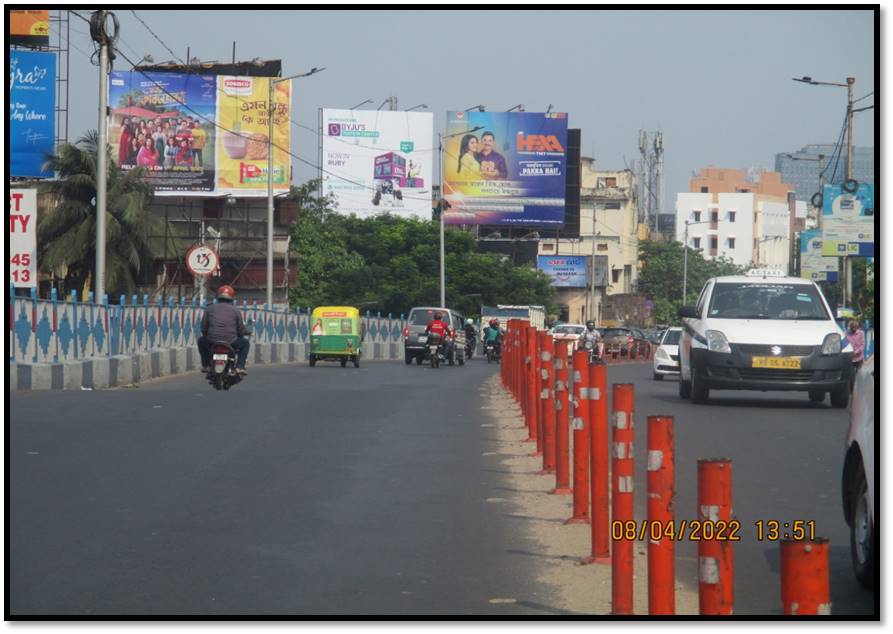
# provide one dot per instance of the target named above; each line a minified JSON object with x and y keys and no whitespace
{"x":801,"y":168}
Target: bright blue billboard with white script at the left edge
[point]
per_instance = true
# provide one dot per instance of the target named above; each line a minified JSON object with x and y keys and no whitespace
{"x":32,"y":112}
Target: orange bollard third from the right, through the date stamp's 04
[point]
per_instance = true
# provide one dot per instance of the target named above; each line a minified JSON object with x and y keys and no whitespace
{"x":661,"y":549}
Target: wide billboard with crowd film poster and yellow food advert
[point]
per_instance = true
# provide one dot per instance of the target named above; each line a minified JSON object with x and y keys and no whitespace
{"x":199,"y":135}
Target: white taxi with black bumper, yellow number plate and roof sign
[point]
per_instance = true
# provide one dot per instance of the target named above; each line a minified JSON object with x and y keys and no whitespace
{"x":763,"y":331}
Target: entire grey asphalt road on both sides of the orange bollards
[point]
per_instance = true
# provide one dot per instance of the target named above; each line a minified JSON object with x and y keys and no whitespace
{"x":341,"y":491}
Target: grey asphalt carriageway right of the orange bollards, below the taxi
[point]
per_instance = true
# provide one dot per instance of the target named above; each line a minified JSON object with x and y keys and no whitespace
{"x":787,"y":457}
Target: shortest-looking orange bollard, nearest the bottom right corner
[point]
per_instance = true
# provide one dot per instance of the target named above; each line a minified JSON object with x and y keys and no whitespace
{"x":805,"y":581}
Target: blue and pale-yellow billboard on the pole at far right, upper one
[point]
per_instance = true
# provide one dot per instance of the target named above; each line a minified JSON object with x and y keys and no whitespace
{"x":848,"y":221}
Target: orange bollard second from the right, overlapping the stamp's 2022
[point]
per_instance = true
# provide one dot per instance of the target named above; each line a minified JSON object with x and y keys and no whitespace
{"x":716,"y":588}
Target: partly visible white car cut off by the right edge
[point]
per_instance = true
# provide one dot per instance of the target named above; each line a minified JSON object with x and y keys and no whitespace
{"x":858,"y":477}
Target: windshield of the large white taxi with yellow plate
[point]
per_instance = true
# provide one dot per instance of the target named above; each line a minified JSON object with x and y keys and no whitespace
{"x":766,"y":300}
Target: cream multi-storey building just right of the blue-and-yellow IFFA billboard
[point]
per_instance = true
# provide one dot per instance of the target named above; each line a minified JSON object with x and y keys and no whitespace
{"x":608,"y":238}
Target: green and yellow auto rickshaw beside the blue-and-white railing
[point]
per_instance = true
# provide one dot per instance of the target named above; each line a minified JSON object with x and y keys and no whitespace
{"x":335,"y":335}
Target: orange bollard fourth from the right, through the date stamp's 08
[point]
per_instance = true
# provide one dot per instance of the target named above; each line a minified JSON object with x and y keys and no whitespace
{"x":622,"y":500}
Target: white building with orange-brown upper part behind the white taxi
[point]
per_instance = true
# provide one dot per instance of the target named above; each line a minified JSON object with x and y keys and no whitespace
{"x":747,"y":217}
